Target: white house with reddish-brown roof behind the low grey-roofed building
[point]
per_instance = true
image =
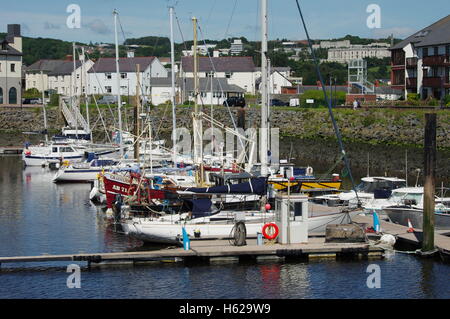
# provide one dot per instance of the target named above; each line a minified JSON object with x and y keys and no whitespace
{"x":239,"y":71}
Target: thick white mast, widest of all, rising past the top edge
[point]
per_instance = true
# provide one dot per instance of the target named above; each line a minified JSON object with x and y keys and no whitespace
{"x":264,"y":111}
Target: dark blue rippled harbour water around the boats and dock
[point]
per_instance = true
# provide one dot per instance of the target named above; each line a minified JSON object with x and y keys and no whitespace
{"x":39,"y":217}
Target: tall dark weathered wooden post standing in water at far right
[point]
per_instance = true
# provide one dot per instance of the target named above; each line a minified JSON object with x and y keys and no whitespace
{"x":430,"y":183}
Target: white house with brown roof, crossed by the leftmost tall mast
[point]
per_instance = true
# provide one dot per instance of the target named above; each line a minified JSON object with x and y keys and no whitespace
{"x":103,"y":76}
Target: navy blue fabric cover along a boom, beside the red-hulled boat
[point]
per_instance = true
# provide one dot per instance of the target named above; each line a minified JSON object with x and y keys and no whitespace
{"x":257,"y":186}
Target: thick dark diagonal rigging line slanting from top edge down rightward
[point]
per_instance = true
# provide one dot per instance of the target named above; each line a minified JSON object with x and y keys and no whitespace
{"x":330,"y":108}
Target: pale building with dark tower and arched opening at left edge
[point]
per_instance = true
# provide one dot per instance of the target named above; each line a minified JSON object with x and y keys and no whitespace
{"x":11,"y":67}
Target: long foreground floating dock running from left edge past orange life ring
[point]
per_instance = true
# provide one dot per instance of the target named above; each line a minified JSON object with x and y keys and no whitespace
{"x":213,"y":250}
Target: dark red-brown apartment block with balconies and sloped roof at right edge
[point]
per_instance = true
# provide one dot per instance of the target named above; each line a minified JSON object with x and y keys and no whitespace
{"x":421,"y":62}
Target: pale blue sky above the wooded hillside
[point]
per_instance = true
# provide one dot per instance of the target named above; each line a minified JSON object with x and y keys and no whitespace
{"x":218,"y":19}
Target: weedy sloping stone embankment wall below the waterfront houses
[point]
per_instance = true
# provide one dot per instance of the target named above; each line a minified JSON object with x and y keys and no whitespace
{"x":373,"y":126}
